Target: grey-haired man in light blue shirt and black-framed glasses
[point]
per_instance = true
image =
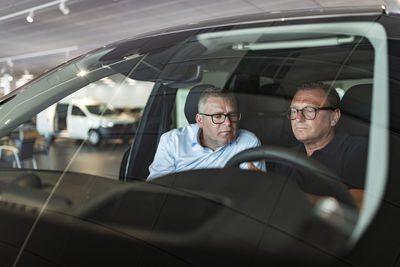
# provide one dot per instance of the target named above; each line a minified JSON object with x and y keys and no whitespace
{"x":208,"y":143}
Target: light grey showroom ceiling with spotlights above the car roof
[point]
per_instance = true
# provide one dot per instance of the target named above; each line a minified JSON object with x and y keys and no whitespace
{"x":53,"y":37}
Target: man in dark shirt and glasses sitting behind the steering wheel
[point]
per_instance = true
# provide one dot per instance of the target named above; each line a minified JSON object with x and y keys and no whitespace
{"x":314,"y":113}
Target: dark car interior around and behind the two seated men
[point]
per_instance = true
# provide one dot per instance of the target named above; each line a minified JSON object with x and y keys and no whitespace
{"x":263,"y":83}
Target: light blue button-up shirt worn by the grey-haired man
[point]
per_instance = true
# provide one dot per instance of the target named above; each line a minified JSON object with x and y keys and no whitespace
{"x":180,"y":150}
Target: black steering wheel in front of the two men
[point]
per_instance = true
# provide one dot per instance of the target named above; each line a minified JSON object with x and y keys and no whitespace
{"x":286,"y":156}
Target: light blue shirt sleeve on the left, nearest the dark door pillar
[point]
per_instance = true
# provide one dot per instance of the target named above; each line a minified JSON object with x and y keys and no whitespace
{"x":164,"y":161}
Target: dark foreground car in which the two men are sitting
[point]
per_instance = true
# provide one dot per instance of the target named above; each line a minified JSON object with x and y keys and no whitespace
{"x":221,"y":216}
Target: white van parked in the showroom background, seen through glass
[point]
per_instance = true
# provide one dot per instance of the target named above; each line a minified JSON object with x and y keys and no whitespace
{"x":85,"y":118}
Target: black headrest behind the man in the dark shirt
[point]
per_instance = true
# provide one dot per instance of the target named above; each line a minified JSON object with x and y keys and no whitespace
{"x":357,"y":101}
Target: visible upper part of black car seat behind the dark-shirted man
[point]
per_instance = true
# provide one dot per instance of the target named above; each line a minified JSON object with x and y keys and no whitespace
{"x":356,"y":110}
